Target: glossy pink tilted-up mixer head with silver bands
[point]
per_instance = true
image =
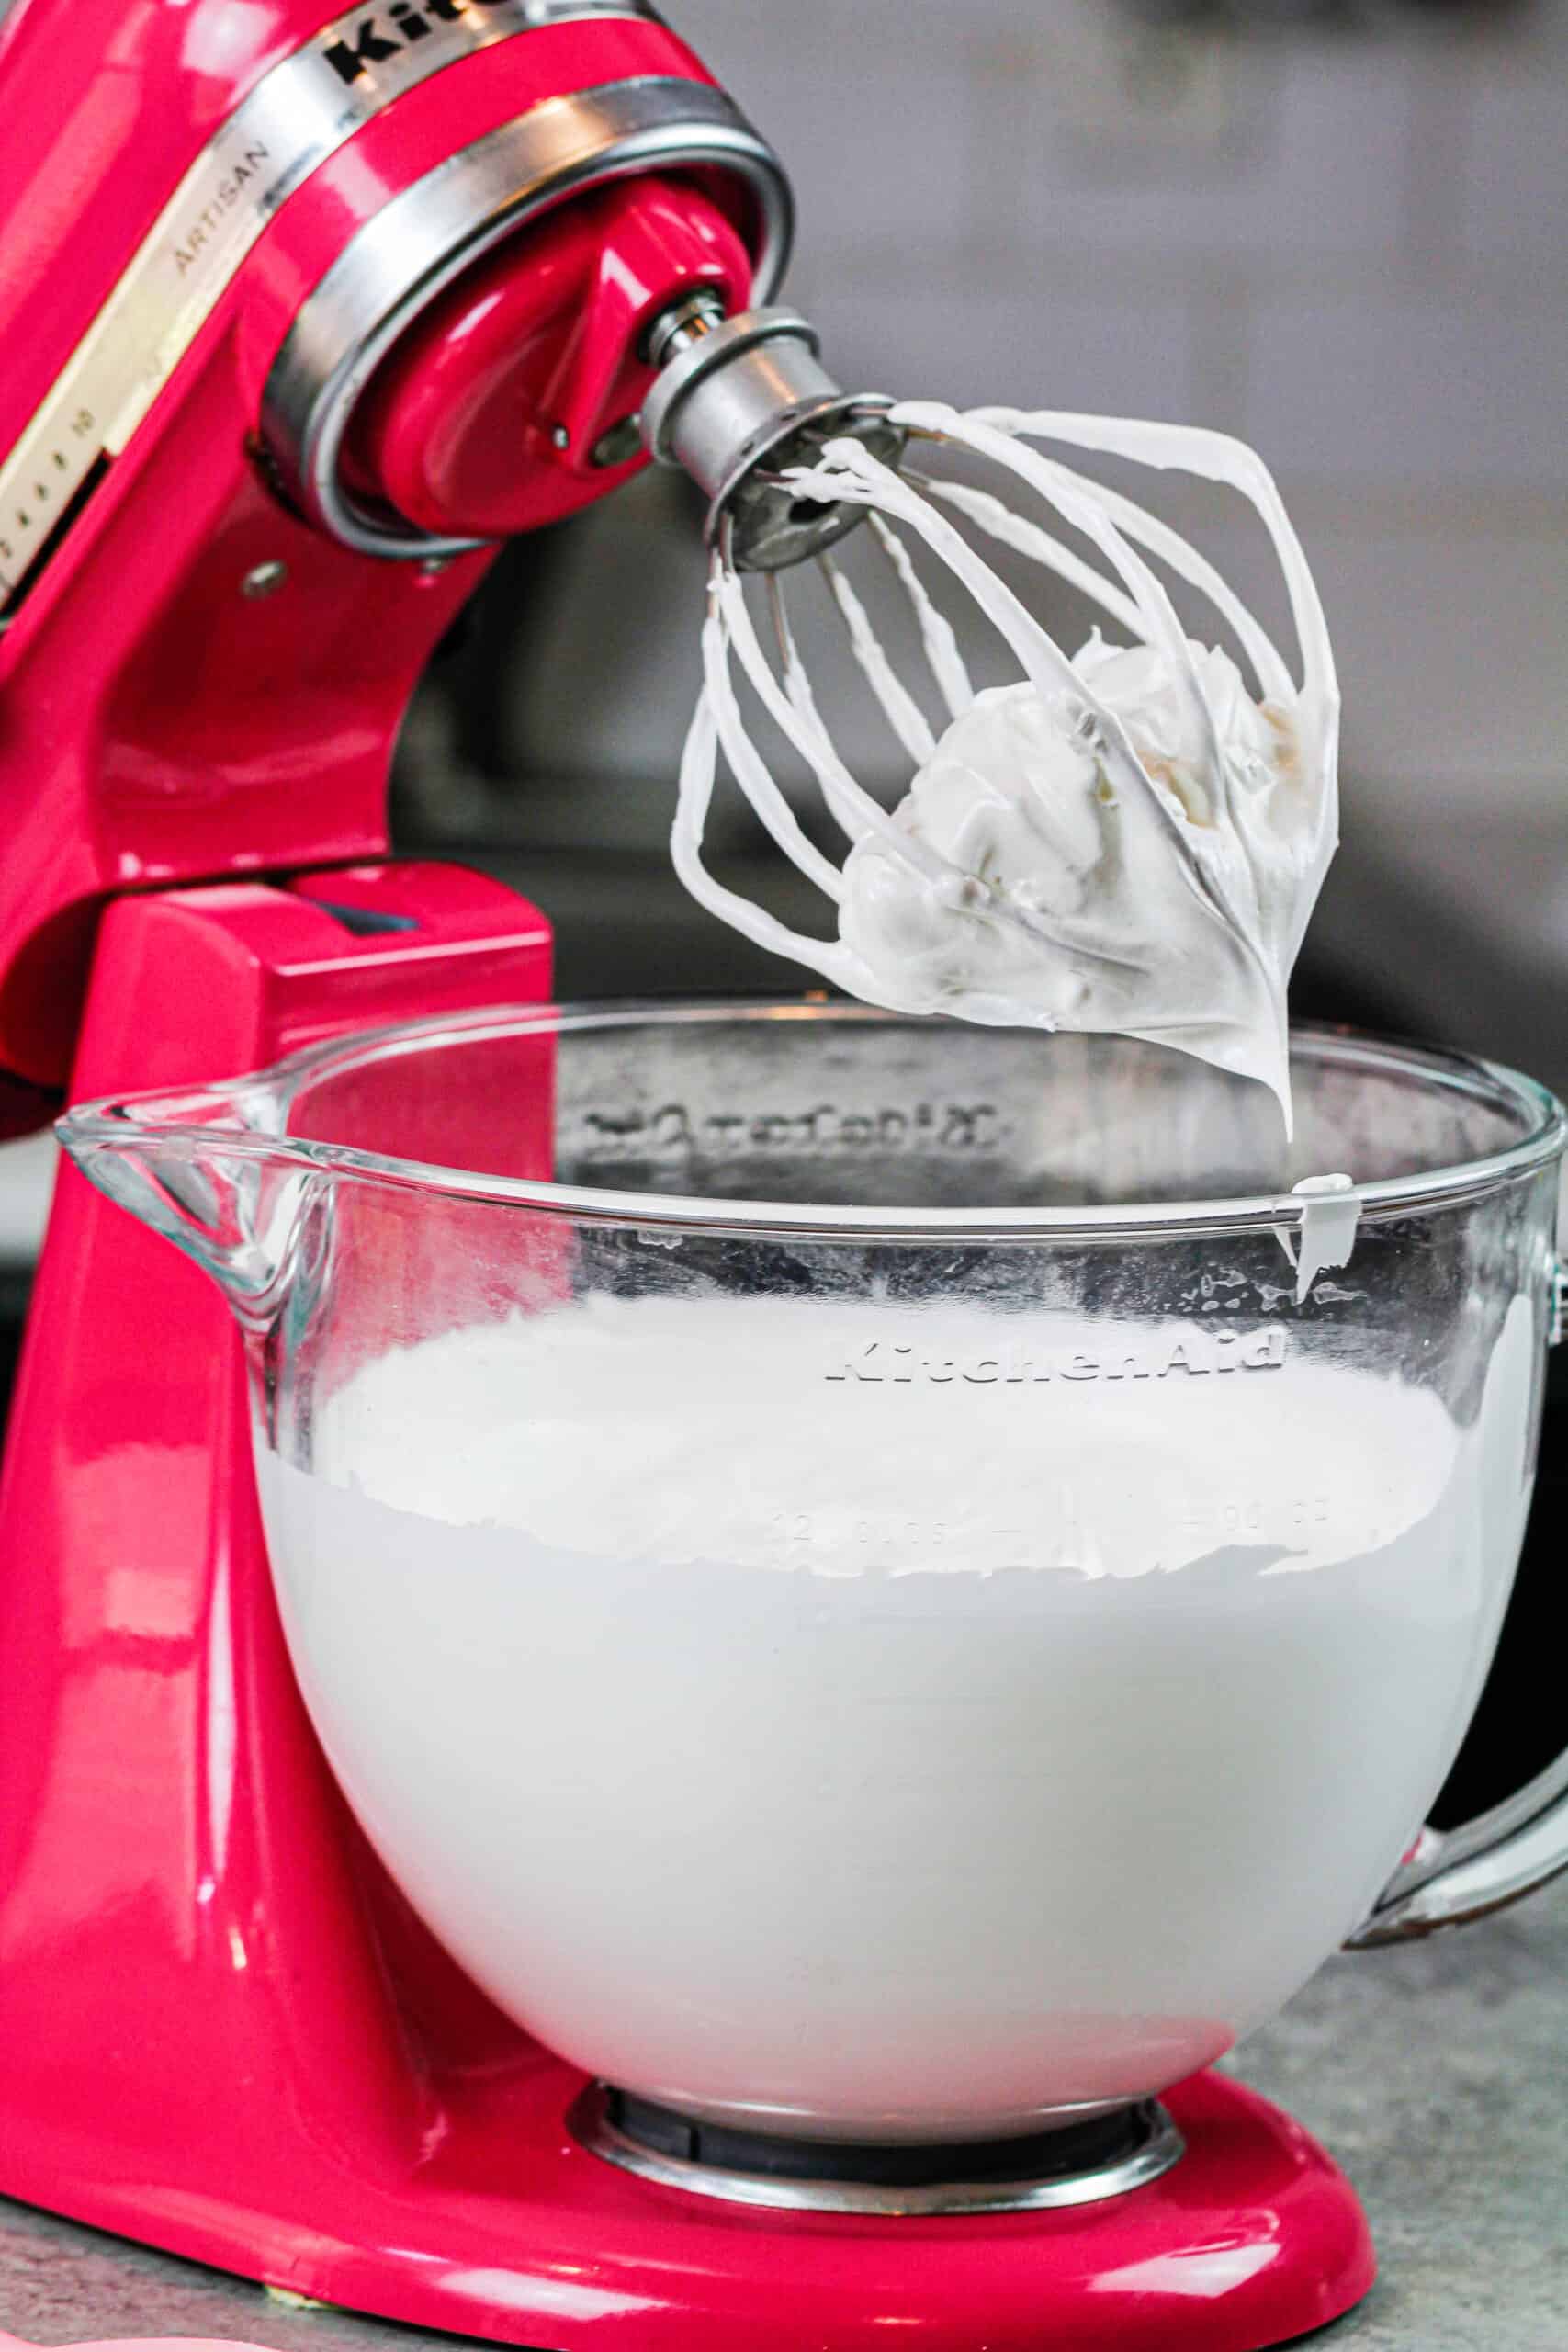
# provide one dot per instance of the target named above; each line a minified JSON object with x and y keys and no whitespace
{"x":382,"y":293}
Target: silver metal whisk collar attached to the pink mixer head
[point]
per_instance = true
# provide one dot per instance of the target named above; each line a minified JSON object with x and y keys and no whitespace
{"x":739,"y":403}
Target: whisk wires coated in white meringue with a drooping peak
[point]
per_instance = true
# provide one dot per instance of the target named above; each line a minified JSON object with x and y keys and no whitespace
{"x":1130,"y":838}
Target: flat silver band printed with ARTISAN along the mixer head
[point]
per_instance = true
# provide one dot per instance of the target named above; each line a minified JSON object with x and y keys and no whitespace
{"x":297,"y":116}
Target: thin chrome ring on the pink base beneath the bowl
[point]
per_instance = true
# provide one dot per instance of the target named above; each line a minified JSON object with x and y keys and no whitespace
{"x":1162,"y":2149}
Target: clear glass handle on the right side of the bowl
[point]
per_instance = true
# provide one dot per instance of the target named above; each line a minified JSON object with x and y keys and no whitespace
{"x":1492,"y":1862}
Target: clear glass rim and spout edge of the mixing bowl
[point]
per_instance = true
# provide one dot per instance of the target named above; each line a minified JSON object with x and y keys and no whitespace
{"x":246,"y":1118}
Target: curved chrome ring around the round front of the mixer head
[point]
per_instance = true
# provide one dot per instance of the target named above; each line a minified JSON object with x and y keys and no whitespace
{"x":443,"y":222}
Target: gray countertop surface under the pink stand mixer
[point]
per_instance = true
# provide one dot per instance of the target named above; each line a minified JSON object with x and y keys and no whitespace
{"x":1435,"y":2076}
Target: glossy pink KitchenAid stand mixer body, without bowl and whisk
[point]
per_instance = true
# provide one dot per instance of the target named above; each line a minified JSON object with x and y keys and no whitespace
{"x":300,"y":321}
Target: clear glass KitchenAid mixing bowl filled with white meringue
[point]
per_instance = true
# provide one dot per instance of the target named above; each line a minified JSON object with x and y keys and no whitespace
{"x":878,"y":1579}
